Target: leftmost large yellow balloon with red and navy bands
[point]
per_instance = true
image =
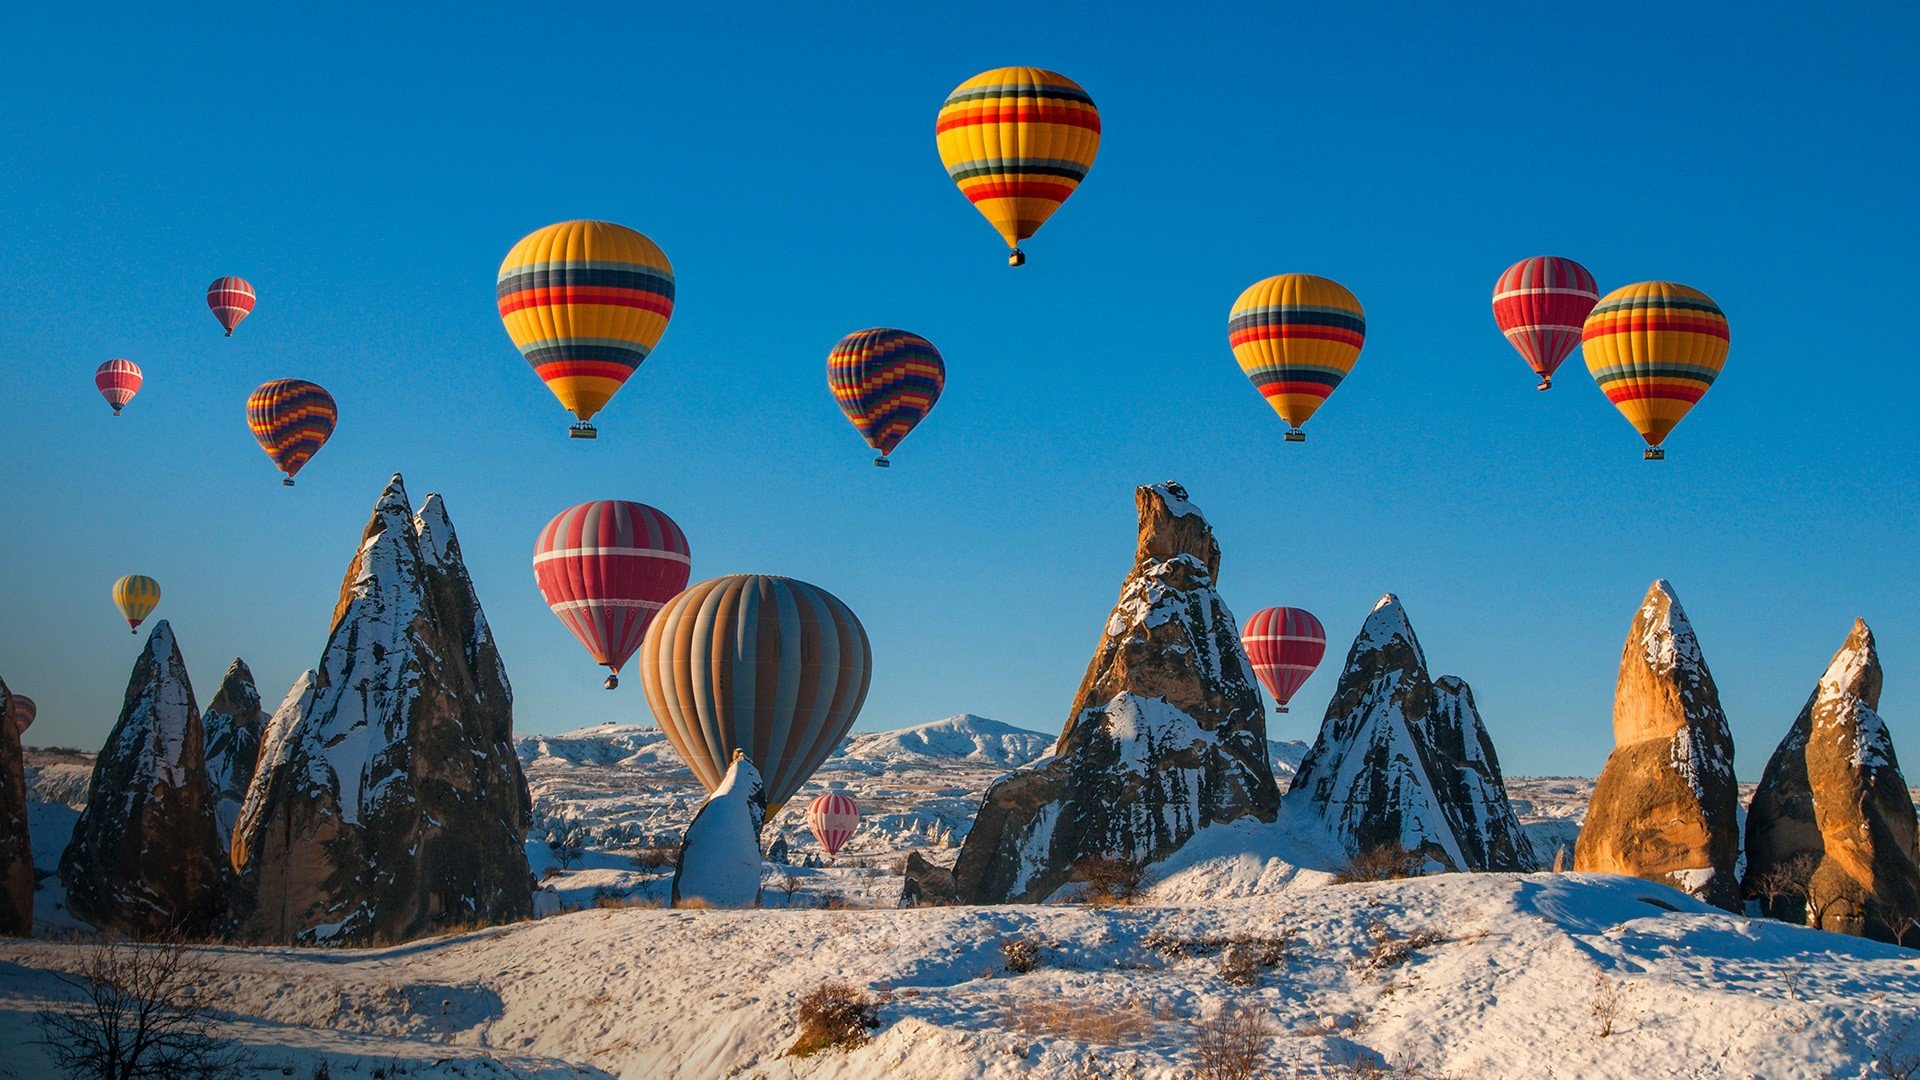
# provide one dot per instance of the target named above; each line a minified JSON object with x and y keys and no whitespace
{"x":587,"y":303}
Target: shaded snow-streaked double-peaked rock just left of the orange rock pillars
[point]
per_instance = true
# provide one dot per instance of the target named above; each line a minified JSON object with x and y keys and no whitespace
{"x":1404,"y":762}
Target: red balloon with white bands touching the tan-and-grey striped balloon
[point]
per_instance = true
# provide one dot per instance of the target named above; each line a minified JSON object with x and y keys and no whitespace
{"x":606,"y":568}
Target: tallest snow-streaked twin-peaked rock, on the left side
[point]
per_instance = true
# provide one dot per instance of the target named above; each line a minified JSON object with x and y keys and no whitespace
{"x":389,"y":800}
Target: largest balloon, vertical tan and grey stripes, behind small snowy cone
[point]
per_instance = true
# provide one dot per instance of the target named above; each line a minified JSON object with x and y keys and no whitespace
{"x":769,"y":666}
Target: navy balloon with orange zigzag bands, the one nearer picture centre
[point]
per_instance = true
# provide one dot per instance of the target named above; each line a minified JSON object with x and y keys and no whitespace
{"x":886,"y":383}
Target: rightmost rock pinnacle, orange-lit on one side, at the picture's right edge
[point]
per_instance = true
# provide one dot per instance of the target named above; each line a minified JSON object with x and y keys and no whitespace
{"x":1831,"y":831}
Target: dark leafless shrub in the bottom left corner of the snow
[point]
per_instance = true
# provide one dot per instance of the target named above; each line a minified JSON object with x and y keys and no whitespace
{"x":145,"y":1012}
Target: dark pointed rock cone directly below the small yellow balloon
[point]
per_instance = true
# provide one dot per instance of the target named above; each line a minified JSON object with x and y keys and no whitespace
{"x":145,"y":856}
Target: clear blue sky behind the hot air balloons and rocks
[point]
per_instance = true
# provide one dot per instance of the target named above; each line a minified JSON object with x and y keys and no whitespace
{"x":368,"y":172}
